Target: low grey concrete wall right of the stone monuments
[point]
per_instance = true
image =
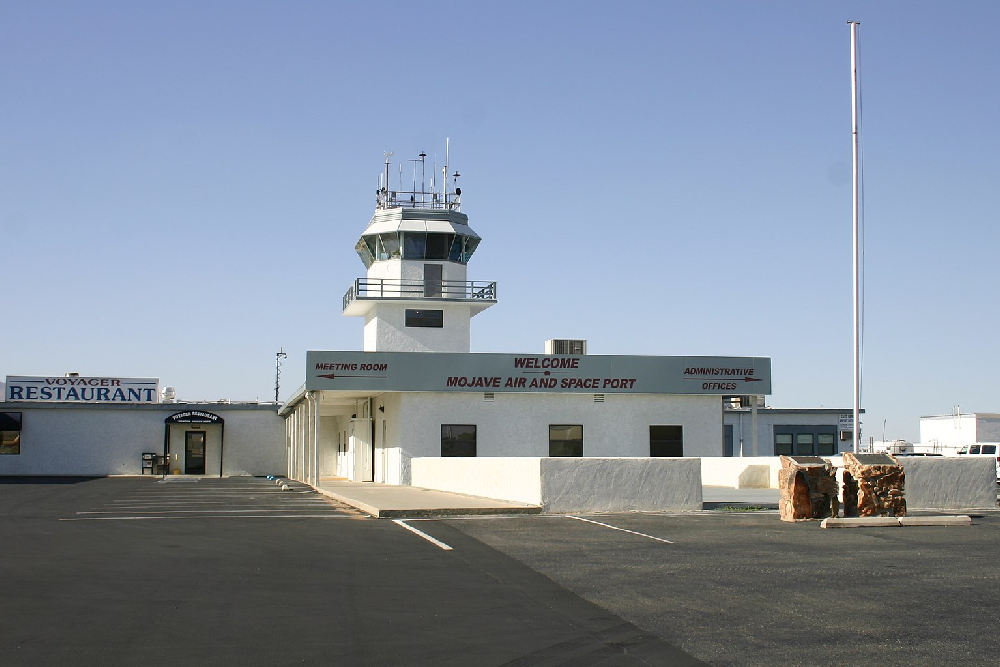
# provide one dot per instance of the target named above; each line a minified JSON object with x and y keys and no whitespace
{"x":946,"y":482}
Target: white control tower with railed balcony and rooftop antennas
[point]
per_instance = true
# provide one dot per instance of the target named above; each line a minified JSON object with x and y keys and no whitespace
{"x":416,"y":248}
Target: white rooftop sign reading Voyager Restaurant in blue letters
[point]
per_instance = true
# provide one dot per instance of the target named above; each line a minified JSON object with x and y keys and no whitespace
{"x":76,"y":389}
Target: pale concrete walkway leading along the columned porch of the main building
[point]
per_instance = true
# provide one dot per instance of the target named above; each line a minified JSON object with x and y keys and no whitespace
{"x":388,"y":500}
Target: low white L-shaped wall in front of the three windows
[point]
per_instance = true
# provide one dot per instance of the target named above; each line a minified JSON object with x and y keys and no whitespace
{"x":569,"y":484}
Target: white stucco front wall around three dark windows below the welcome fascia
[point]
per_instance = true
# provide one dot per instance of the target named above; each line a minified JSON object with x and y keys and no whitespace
{"x":517,"y":424}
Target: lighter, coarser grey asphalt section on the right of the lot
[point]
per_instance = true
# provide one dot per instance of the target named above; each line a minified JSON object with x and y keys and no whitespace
{"x":748,"y":589}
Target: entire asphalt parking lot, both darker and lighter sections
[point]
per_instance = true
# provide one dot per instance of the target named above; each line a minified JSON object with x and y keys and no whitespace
{"x":140,"y":571}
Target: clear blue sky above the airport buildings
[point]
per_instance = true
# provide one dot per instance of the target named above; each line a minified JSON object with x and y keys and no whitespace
{"x":182,"y":184}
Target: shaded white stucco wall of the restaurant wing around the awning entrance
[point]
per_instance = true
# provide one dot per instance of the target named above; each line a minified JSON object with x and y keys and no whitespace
{"x":74,"y":439}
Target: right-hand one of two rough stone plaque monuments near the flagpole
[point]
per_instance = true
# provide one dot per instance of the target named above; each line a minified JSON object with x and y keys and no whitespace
{"x":874,"y":485}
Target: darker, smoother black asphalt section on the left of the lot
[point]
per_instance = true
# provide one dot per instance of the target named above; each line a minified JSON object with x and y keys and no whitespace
{"x":136,"y":571}
